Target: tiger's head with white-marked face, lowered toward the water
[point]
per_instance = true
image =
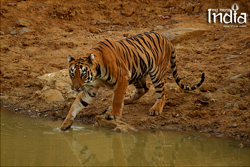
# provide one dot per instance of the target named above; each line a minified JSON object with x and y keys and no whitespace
{"x":80,"y":71}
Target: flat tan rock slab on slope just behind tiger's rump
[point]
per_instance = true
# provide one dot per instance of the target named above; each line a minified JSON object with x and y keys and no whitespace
{"x":179,"y":34}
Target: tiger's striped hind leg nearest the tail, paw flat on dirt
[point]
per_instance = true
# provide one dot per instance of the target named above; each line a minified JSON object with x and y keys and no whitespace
{"x":161,"y":97}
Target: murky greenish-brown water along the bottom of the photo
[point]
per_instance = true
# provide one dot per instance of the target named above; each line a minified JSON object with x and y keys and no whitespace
{"x":29,"y":141}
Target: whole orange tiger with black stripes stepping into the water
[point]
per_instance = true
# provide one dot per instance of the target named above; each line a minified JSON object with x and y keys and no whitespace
{"x":117,"y":64}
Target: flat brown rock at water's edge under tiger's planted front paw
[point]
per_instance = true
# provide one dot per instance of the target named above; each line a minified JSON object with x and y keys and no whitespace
{"x":116,"y":125}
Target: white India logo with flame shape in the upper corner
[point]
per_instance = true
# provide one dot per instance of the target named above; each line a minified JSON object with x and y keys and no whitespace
{"x":230,"y":17}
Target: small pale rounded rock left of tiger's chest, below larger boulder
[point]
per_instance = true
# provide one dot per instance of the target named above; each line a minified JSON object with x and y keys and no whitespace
{"x":51,"y":95}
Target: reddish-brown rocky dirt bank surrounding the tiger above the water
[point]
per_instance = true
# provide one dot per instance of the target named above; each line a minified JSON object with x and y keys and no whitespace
{"x":37,"y":36}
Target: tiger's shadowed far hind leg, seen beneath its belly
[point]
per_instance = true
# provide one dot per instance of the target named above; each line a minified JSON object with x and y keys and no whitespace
{"x":141,"y":89}
